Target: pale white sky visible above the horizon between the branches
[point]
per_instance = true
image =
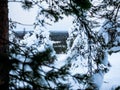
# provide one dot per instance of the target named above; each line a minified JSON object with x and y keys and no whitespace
{"x":17,"y":13}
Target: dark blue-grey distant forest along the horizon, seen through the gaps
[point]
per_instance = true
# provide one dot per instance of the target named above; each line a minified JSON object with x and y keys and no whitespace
{"x":58,"y":37}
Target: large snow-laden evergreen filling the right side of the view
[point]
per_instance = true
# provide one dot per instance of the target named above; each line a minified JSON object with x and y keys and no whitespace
{"x":89,"y":43}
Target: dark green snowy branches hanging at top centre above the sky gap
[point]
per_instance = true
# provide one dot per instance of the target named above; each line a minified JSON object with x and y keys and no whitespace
{"x":56,"y":9}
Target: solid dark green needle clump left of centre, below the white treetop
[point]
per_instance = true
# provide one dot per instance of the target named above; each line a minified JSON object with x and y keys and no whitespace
{"x":39,"y":59}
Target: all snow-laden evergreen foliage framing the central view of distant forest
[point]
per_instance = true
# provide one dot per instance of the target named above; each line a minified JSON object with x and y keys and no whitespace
{"x":88,"y":48}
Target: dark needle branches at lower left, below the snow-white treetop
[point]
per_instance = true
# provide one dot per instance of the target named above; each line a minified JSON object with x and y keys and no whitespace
{"x":26,"y":70}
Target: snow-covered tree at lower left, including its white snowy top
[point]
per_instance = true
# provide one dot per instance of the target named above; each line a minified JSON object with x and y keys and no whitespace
{"x":29,"y":59}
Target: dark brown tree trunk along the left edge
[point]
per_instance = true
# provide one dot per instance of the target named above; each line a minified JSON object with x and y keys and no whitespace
{"x":4,"y":60}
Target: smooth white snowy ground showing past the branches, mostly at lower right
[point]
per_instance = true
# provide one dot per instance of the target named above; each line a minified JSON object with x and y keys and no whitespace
{"x":112,"y":78}
